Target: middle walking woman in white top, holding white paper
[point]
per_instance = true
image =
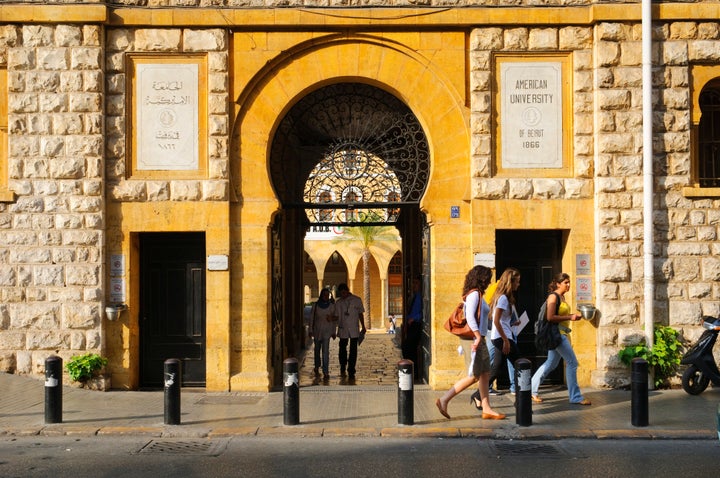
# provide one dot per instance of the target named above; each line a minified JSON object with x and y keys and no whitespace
{"x":503,"y":319}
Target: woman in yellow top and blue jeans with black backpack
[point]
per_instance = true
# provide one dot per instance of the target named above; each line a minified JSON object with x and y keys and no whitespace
{"x":558,"y":311}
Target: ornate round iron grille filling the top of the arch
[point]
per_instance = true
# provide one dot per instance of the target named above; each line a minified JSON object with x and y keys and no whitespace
{"x":350,"y":152}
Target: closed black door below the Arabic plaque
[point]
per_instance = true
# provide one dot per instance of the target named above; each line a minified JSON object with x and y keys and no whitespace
{"x":172,"y":306}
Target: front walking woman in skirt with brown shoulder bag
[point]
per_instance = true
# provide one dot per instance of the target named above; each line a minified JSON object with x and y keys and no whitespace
{"x":477,"y":359}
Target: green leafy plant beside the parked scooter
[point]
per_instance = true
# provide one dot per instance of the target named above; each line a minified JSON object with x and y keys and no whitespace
{"x":664,"y":357}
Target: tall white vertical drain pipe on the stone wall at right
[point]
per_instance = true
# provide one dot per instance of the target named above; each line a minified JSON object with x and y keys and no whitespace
{"x":648,"y":179}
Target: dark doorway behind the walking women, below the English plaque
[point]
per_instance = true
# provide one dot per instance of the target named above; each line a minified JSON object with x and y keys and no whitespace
{"x":537,"y":254}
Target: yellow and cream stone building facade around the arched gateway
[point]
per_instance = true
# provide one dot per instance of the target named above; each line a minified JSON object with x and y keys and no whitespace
{"x":79,"y":207}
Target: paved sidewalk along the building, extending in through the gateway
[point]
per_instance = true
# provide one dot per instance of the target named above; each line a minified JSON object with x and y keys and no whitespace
{"x":369,"y":408}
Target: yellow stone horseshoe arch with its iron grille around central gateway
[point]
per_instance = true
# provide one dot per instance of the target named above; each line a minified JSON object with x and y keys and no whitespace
{"x":322,"y":100}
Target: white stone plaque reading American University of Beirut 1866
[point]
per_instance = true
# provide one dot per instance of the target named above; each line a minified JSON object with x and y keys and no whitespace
{"x":531,"y":114}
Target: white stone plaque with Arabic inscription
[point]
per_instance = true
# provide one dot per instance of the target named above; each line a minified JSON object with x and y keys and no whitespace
{"x":167,"y":116}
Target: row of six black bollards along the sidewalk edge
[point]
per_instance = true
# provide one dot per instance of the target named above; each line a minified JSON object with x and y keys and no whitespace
{"x":291,"y":392}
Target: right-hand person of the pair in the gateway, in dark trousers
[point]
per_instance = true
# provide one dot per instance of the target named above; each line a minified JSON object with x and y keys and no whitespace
{"x":351,"y":323}
